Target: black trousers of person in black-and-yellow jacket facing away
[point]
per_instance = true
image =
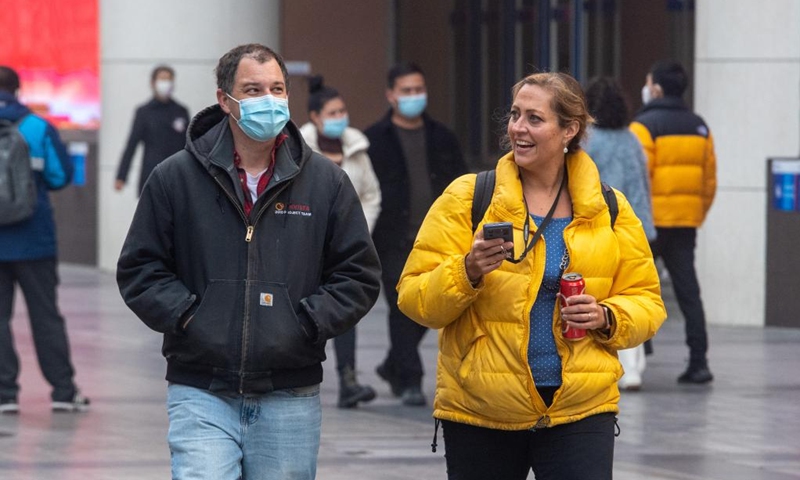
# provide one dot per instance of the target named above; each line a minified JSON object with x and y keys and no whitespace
{"x":676,"y":247}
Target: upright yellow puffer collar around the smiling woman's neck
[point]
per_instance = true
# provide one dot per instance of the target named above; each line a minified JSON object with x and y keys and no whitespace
{"x":584,"y":188}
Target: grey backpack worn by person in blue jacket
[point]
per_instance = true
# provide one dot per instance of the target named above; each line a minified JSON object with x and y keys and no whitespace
{"x":17,"y":183}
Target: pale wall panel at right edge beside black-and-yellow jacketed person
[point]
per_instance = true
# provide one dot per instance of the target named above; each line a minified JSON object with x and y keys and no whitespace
{"x":747,"y":87}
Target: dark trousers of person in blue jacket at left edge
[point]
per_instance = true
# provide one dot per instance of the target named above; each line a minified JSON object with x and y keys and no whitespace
{"x":37,"y":280}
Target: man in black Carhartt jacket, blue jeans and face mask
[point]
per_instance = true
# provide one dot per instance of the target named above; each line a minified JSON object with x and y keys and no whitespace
{"x":247,"y":251}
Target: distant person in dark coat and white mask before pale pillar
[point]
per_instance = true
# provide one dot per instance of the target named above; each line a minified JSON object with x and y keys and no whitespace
{"x":159,"y":124}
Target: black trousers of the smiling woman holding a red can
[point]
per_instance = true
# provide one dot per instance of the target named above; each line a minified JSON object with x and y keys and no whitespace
{"x":583,"y":450}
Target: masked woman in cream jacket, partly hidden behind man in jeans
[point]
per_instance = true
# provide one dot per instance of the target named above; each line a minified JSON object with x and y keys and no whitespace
{"x":329,"y":132}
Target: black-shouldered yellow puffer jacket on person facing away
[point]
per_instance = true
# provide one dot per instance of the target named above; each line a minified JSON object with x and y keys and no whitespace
{"x":681,"y":161}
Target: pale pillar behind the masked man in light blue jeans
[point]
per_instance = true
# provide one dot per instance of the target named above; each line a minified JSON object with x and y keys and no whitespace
{"x":135,"y":36}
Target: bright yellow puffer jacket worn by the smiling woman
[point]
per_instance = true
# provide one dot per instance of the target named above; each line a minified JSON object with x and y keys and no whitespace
{"x":483,"y":375}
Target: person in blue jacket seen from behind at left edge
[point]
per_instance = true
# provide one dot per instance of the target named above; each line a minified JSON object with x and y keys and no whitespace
{"x":28,"y":258}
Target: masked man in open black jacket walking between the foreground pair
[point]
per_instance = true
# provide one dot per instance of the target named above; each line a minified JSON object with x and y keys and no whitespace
{"x":415,"y":158}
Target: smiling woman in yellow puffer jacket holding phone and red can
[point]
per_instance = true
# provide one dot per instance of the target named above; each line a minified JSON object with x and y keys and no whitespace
{"x":512,"y":393}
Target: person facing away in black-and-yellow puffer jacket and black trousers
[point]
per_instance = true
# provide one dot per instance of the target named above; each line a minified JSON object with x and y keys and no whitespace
{"x":683,"y":178}
